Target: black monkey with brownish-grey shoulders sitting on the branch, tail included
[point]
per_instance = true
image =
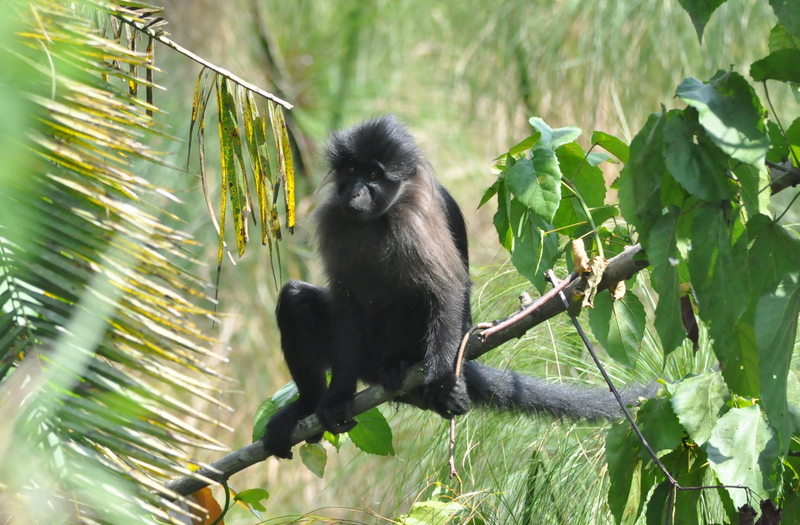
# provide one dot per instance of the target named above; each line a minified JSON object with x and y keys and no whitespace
{"x":393,"y":245}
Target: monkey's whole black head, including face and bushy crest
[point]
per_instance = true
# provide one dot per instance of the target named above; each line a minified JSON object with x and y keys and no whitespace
{"x":371,"y":164}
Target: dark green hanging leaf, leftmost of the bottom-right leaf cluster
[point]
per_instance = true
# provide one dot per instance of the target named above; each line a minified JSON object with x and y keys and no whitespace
{"x":621,"y":447}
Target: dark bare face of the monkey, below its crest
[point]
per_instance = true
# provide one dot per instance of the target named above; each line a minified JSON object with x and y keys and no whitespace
{"x":365,"y":191}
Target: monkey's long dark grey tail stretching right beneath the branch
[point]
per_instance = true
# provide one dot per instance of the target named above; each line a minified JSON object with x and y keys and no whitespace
{"x":509,"y":390}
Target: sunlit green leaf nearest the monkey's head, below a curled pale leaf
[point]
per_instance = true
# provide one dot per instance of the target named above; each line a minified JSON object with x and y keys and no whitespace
{"x":536,"y":182}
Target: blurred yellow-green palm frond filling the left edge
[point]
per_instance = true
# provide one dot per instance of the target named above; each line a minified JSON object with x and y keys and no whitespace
{"x":99,"y":337}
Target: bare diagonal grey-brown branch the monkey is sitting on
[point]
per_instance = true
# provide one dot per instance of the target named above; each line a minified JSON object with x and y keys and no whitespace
{"x":620,"y":268}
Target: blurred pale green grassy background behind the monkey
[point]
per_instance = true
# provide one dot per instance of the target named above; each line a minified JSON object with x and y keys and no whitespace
{"x":465,"y":76}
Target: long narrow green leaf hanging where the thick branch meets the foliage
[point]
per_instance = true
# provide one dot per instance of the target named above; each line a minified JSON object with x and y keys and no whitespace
{"x":662,"y":253}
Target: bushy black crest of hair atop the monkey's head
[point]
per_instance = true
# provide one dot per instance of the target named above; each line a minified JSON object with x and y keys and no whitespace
{"x":383,"y":139}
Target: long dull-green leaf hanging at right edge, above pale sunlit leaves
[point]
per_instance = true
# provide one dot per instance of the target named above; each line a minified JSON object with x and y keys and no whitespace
{"x":776,"y":330}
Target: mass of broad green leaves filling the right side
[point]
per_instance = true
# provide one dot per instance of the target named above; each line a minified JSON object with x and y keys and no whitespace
{"x":694,"y":192}
